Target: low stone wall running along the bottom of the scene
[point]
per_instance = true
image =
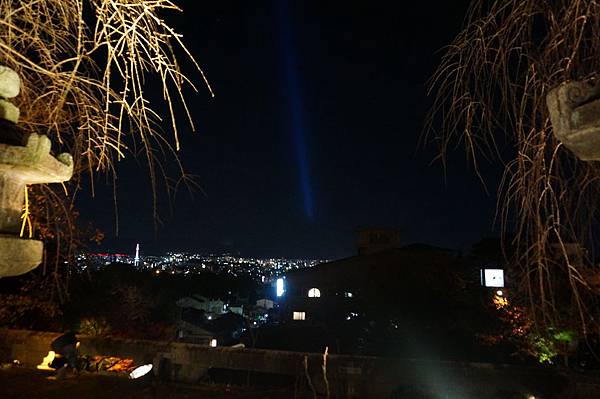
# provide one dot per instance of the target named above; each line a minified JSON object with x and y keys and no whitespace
{"x":347,"y":376}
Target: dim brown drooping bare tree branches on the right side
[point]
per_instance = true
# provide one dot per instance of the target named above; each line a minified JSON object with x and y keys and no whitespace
{"x":490,"y":95}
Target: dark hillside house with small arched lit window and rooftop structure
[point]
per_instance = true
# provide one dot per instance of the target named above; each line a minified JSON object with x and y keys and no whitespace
{"x":377,"y":281}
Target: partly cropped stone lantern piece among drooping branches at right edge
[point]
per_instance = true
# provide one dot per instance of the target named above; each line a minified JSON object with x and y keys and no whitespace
{"x":574,"y":109}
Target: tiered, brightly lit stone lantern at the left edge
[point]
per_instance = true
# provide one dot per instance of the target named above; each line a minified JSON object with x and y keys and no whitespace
{"x":24,"y":159}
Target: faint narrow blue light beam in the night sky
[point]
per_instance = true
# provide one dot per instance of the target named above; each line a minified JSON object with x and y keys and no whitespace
{"x":296,"y":111}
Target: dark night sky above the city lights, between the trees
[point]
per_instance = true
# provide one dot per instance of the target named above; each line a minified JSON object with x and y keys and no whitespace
{"x":313,"y":132}
